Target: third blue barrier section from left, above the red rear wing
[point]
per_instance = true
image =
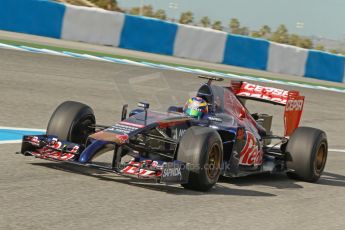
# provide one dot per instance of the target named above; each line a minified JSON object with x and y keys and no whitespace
{"x":246,"y":52}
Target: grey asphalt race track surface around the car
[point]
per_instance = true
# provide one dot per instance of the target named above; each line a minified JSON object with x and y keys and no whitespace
{"x":36,"y":194}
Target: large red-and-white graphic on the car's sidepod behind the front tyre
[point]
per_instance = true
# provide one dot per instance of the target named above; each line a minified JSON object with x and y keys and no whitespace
{"x":251,"y":154}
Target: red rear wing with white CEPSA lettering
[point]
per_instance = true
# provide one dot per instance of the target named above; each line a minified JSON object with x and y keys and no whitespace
{"x":291,"y":100}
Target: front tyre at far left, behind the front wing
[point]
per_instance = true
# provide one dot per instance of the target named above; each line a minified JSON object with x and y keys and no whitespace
{"x":72,"y":121}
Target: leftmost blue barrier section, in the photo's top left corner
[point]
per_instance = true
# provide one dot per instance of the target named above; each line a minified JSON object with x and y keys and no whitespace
{"x":41,"y":17}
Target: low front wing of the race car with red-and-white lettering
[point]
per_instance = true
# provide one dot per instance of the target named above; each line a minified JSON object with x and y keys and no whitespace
{"x":51,"y":148}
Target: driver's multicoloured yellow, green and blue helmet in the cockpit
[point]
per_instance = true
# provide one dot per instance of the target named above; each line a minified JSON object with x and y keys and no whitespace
{"x":196,"y":107}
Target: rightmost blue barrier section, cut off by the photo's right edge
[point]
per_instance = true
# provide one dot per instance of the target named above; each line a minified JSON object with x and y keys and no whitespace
{"x":325,"y":66}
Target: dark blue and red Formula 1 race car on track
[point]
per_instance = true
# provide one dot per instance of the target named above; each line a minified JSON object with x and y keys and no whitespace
{"x":171,"y":147}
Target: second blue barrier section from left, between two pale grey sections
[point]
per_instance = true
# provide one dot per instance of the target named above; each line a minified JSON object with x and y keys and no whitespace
{"x":149,"y":35}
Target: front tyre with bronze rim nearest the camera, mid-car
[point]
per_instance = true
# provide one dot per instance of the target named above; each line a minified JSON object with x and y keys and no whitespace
{"x":202,"y":149}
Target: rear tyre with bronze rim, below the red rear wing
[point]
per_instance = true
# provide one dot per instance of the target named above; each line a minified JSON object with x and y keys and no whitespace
{"x":307,"y":154}
